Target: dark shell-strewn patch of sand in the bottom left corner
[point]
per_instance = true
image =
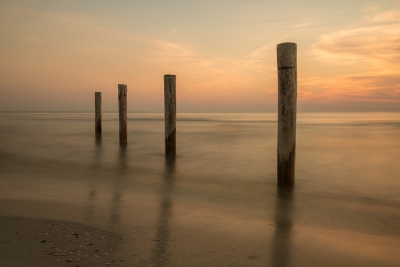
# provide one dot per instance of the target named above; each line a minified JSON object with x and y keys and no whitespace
{"x":32,"y":242}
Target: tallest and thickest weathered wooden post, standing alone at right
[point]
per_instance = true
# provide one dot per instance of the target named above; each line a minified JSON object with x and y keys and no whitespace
{"x":287,"y":104}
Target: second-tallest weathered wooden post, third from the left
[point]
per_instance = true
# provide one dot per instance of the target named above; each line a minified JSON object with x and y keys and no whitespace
{"x":170,"y":114}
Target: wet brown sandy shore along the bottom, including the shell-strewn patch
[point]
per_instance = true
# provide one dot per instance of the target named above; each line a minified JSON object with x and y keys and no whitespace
{"x":212,"y":242}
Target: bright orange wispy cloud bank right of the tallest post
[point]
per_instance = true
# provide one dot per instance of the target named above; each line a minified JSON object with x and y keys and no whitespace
{"x":374,"y":49}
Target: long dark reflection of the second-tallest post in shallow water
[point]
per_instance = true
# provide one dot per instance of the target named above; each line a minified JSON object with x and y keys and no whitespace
{"x":160,"y":255}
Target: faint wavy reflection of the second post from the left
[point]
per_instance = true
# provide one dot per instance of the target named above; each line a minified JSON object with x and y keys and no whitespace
{"x":118,"y":184}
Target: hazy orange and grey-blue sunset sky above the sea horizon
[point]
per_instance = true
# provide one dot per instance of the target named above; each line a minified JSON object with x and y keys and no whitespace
{"x":55,"y":54}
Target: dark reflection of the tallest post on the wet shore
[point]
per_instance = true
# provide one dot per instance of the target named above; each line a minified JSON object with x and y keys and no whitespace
{"x":281,"y":241}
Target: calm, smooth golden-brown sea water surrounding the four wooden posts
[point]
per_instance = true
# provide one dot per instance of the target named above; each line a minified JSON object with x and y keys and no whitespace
{"x":347,"y":178}
